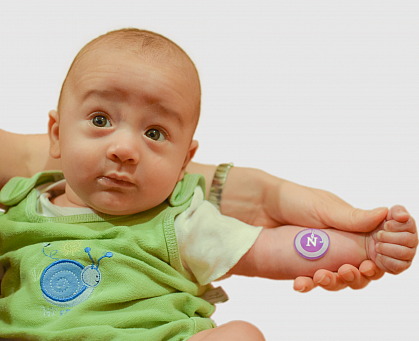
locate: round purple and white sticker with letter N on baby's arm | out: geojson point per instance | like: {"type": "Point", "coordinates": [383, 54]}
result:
{"type": "Point", "coordinates": [311, 243]}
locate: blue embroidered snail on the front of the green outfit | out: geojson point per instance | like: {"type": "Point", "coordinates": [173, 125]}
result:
{"type": "Point", "coordinates": [66, 283]}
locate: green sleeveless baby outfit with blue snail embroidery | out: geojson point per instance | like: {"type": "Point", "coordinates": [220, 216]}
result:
{"type": "Point", "coordinates": [96, 277]}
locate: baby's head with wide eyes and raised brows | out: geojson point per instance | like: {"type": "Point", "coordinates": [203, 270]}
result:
{"type": "Point", "coordinates": [126, 117]}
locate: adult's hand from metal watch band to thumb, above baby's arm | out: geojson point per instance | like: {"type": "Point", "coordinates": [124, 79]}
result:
{"type": "Point", "coordinates": [261, 199]}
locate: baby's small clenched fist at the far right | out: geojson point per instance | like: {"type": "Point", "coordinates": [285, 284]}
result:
{"type": "Point", "coordinates": [392, 245]}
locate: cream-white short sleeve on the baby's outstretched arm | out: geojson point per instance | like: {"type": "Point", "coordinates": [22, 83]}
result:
{"type": "Point", "coordinates": [210, 243]}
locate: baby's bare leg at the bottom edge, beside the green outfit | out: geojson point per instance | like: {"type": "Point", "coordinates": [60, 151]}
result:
{"type": "Point", "coordinates": [232, 331]}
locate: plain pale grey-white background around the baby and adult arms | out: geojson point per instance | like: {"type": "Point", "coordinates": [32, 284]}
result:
{"type": "Point", "coordinates": [323, 93]}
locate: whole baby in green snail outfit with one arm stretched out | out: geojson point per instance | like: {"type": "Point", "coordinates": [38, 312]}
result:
{"type": "Point", "coordinates": [125, 247]}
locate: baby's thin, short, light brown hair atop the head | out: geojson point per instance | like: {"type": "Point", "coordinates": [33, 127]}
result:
{"type": "Point", "coordinates": [150, 46]}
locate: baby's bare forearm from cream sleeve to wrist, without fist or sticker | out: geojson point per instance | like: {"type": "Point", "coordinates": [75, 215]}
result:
{"type": "Point", "coordinates": [273, 254]}
